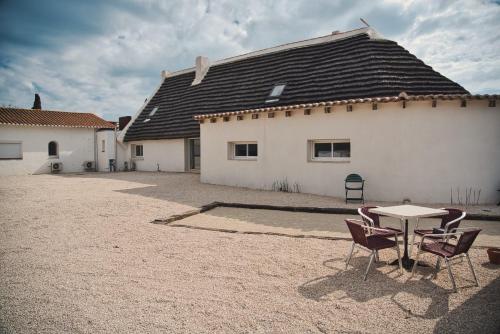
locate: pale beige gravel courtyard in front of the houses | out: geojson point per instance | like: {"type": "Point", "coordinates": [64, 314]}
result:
{"type": "Point", "coordinates": [78, 254]}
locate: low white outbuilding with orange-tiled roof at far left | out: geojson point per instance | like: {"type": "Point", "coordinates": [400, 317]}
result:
{"type": "Point", "coordinates": [34, 141]}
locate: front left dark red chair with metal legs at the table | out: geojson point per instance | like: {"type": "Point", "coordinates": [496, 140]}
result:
{"type": "Point", "coordinates": [371, 242]}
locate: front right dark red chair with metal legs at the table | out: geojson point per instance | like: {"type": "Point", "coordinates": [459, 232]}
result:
{"type": "Point", "coordinates": [448, 251]}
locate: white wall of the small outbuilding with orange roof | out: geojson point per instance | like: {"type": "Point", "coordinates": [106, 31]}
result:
{"type": "Point", "coordinates": [76, 145]}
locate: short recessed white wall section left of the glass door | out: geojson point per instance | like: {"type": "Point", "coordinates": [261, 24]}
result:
{"type": "Point", "coordinates": [168, 155]}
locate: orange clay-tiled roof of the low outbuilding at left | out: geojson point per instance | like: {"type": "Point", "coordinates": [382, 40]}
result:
{"type": "Point", "coordinates": [35, 117]}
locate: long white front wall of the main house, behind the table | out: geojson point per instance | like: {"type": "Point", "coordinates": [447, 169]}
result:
{"type": "Point", "coordinates": [418, 152]}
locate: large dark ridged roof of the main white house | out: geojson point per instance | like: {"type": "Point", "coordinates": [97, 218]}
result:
{"type": "Point", "coordinates": [355, 67]}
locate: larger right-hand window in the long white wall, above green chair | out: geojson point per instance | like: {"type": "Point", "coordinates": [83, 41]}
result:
{"type": "Point", "coordinates": [330, 150]}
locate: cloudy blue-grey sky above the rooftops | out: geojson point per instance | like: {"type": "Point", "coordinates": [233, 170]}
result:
{"type": "Point", "coordinates": [106, 56]}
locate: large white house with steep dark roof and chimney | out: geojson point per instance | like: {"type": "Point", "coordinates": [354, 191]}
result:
{"type": "Point", "coordinates": [313, 112]}
